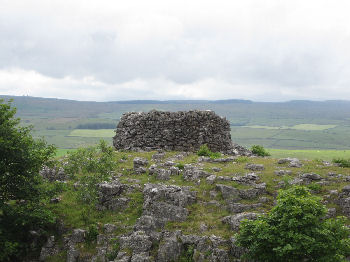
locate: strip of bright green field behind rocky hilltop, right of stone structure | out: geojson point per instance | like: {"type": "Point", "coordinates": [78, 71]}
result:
{"type": "Point", "coordinates": [310, 154]}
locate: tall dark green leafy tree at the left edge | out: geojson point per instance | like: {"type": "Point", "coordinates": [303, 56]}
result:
{"type": "Point", "coordinates": [21, 193]}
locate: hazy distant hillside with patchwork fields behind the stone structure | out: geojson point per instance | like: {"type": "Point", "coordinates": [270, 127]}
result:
{"type": "Point", "coordinates": [286, 125]}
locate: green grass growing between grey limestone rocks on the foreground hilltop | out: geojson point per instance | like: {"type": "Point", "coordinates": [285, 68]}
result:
{"type": "Point", "coordinates": [205, 215]}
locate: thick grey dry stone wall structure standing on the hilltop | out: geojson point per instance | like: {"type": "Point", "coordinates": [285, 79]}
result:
{"type": "Point", "coordinates": [180, 131]}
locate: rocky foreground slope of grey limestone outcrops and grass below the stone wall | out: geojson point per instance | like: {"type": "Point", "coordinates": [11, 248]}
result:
{"type": "Point", "coordinates": [177, 206]}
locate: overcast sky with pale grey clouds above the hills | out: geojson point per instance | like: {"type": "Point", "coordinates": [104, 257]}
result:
{"type": "Point", "coordinates": [262, 50]}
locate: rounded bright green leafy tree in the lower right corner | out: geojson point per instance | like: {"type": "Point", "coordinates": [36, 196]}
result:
{"type": "Point", "coordinates": [295, 230]}
